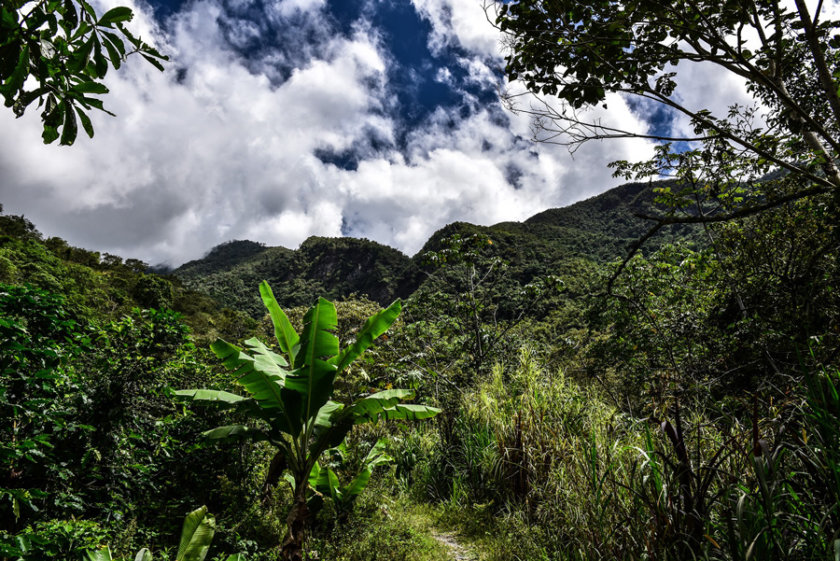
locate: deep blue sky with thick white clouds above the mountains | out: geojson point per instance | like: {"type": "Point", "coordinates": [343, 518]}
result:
{"type": "Point", "coordinates": [277, 120]}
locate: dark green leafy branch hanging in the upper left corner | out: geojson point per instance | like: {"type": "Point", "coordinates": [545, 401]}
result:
{"type": "Point", "coordinates": [63, 49]}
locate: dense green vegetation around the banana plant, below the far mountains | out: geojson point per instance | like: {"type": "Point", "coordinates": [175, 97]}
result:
{"type": "Point", "coordinates": [694, 412]}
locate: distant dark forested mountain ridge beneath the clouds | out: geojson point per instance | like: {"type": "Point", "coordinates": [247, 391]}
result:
{"type": "Point", "coordinates": [597, 230]}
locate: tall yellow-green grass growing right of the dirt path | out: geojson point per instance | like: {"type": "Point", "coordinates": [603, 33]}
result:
{"type": "Point", "coordinates": [536, 450]}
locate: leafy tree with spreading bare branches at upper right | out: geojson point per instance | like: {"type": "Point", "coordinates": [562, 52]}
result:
{"type": "Point", "coordinates": [576, 53]}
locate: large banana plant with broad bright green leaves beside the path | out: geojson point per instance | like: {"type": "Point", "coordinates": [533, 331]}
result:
{"type": "Point", "coordinates": [290, 396]}
